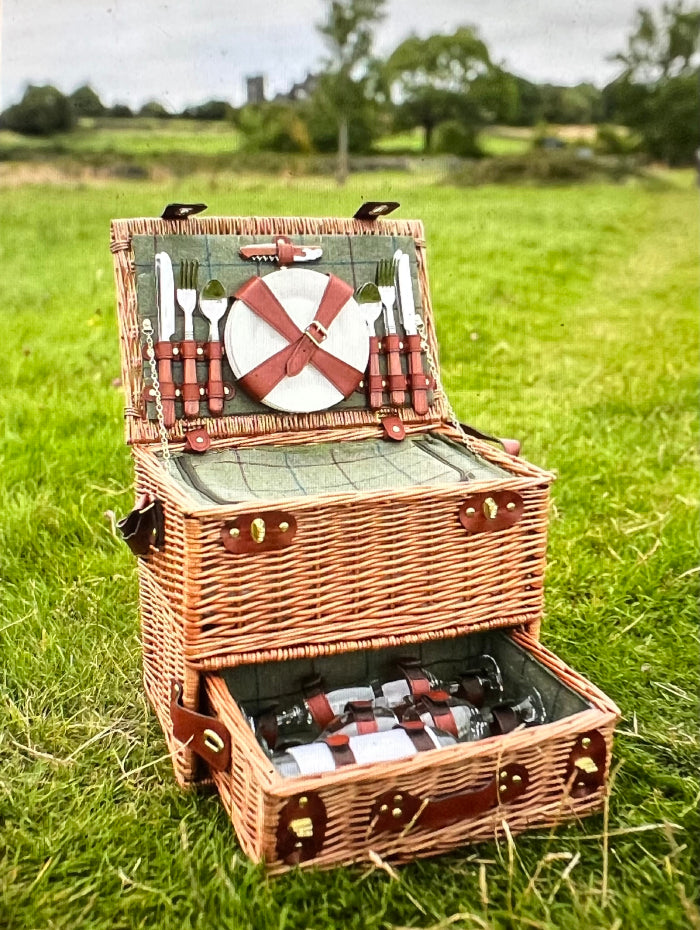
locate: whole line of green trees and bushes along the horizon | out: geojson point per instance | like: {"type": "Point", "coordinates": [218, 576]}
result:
{"type": "Point", "coordinates": [448, 85]}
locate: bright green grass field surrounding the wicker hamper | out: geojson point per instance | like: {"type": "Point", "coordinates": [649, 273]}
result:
{"type": "Point", "coordinates": [567, 318]}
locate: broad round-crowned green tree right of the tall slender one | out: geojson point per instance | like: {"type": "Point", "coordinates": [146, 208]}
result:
{"type": "Point", "coordinates": [449, 77]}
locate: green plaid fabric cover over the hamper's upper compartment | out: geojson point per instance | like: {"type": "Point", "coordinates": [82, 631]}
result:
{"type": "Point", "coordinates": [232, 475]}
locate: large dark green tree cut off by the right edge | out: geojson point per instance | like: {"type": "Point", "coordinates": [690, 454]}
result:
{"type": "Point", "coordinates": [657, 92]}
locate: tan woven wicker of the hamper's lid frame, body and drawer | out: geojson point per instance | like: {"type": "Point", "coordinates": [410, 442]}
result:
{"type": "Point", "coordinates": [366, 570]}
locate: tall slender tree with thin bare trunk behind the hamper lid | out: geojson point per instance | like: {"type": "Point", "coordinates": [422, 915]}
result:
{"type": "Point", "coordinates": [347, 84]}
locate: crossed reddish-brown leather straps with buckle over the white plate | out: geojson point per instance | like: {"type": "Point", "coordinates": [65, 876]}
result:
{"type": "Point", "coordinates": [266, 376]}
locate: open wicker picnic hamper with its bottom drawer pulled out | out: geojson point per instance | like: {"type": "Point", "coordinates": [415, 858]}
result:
{"type": "Point", "coordinates": [274, 543]}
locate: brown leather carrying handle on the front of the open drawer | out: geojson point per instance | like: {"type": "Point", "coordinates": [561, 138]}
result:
{"type": "Point", "coordinates": [395, 811]}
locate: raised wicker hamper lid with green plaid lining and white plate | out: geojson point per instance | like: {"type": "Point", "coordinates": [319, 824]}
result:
{"type": "Point", "coordinates": [350, 252]}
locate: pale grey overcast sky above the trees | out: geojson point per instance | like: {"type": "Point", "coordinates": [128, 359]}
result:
{"type": "Point", "coordinates": [186, 51]}
